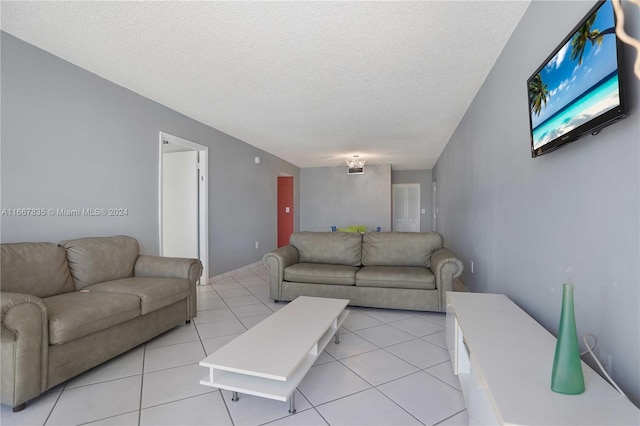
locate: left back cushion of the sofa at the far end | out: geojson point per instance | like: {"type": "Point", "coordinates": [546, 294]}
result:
{"type": "Point", "coordinates": [337, 248]}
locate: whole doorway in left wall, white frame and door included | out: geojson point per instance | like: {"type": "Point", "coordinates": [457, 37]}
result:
{"type": "Point", "coordinates": [183, 200]}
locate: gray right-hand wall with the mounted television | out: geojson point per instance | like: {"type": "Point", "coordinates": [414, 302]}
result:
{"type": "Point", "coordinates": [530, 225]}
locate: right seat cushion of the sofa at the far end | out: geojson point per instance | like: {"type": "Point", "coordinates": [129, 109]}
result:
{"type": "Point", "coordinates": [396, 277]}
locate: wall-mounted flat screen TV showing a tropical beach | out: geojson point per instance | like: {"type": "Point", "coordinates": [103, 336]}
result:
{"type": "Point", "coordinates": [578, 90]}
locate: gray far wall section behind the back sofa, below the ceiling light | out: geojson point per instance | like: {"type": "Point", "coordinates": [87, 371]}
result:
{"type": "Point", "coordinates": [331, 197]}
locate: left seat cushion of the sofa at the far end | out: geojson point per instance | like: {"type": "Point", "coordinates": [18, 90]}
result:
{"type": "Point", "coordinates": [319, 273]}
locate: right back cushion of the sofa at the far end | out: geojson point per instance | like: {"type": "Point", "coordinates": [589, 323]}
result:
{"type": "Point", "coordinates": [400, 248]}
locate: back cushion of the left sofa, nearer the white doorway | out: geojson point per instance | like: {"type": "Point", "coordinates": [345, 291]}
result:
{"type": "Point", "coordinates": [98, 259]}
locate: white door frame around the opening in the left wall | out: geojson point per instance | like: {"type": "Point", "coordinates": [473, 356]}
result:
{"type": "Point", "coordinates": [203, 198]}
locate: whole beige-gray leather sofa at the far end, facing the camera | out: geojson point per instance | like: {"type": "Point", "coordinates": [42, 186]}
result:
{"type": "Point", "coordinates": [398, 270]}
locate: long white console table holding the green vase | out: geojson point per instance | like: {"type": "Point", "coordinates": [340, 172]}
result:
{"type": "Point", "coordinates": [504, 358]}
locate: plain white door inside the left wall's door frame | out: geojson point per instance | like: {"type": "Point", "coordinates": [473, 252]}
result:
{"type": "Point", "coordinates": [180, 204]}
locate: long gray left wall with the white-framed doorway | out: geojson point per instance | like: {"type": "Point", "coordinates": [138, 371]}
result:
{"type": "Point", "coordinates": [71, 139]}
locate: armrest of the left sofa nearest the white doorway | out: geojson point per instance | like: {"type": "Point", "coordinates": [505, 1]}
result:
{"type": "Point", "coordinates": [172, 267]}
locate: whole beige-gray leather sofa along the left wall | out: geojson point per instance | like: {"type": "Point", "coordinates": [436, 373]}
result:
{"type": "Point", "coordinates": [70, 307]}
